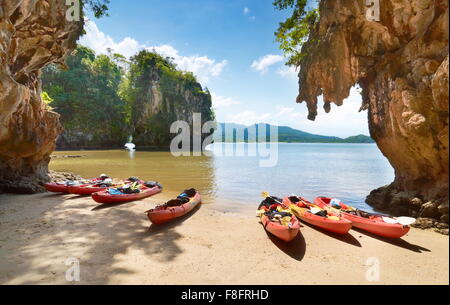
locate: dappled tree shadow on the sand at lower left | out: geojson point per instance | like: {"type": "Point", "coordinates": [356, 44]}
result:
{"type": "Point", "coordinates": [99, 243]}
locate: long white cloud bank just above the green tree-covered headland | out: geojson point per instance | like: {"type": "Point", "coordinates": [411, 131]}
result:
{"type": "Point", "coordinates": [203, 67]}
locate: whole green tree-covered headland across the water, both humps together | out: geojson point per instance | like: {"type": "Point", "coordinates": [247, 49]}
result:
{"type": "Point", "coordinates": [102, 99]}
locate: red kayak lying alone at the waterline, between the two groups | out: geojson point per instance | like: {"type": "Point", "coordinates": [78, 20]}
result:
{"type": "Point", "coordinates": [174, 208]}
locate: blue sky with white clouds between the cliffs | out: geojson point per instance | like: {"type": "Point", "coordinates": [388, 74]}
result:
{"type": "Point", "coordinates": [230, 46]}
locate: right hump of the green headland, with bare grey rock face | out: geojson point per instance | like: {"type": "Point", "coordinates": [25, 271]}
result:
{"type": "Point", "coordinates": [164, 95]}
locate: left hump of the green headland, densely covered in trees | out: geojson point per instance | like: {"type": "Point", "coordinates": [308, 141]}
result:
{"type": "Point", "coordinates": [86, 97]}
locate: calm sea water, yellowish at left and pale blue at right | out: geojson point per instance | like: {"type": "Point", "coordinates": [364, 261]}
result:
{"type": "Point", "coordinates": [345, 171]}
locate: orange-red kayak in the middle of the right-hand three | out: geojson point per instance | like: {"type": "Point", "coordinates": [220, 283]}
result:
{"type": "Point", "coordinates": [332, 222]}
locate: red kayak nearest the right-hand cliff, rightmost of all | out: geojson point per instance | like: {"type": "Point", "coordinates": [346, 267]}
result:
{"type": "Point", "coordinates": [373, 224]}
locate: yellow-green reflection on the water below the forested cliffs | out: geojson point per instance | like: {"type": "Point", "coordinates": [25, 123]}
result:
{"type": "Point", "coordinates": [175, 174]}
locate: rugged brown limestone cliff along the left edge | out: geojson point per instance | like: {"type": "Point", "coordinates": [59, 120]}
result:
{"type": "Point", "coordinates": [33, 33]}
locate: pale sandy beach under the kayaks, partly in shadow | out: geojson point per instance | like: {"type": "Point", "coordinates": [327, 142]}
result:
{"type": "Point", "coordinates": [117, 245]}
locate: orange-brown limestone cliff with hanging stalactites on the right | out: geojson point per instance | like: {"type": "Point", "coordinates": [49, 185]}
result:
{"type": "Point", "coordinates": [401, 64]}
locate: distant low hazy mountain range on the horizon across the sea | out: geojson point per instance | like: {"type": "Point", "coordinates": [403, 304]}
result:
{"type": "Point", "coordinates": [285, 135]}
